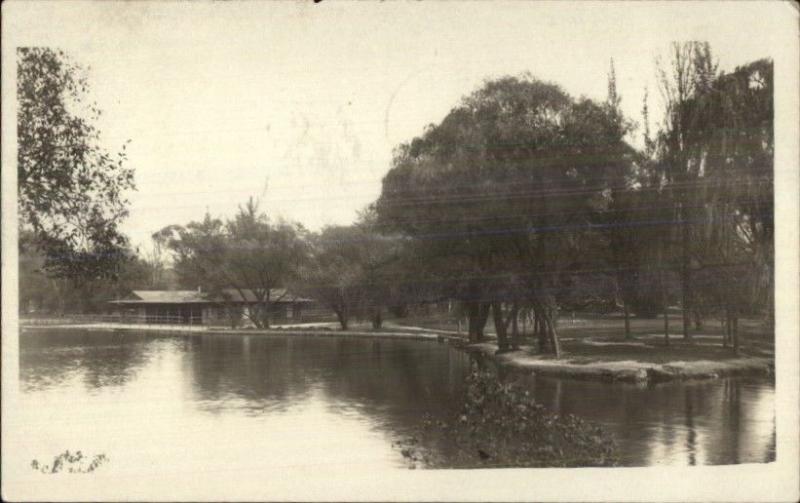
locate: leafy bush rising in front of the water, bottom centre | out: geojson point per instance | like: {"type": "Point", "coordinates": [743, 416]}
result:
{"type": "Point", "coordinates": [500, 425]}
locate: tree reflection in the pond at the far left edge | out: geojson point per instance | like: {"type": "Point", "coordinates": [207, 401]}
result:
{"type": "Point", "coordinates": [47, 358]}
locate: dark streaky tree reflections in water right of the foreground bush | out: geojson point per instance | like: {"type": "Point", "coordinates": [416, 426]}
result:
{"type": "Point", "coordinates": [713, 422]}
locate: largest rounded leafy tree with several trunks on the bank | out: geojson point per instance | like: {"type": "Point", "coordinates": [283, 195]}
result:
{"type": "Point", "coordinates": [503, 191]}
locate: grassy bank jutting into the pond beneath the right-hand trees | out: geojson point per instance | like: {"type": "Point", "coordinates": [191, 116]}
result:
{"type": "Point", "coordinates": [596, 348]}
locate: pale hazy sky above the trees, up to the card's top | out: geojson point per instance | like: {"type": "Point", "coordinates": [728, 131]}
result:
{"type": "Point", "coordinates": [301, 104]}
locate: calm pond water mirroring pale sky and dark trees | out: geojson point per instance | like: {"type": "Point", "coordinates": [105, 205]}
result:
{"type": "Point", "coordinates": [248, 404]}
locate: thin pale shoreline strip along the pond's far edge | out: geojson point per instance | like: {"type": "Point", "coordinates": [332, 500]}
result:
{"type": "Point", "coordinates": [626, 371]}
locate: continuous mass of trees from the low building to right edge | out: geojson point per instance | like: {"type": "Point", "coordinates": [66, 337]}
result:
{"type": "Point", "coordinates": [525, 200]}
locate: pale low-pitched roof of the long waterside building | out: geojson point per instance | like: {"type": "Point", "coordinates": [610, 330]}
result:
{"type": "Point", "coordinates": [197, 297]}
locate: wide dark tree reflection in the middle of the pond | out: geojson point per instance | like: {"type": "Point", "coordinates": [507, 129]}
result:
{"type": "Point", "coordinates": [389, 379]}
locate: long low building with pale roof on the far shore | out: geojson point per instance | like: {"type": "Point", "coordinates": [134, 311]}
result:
{"type": "Point", "coordinates": [194, 307]}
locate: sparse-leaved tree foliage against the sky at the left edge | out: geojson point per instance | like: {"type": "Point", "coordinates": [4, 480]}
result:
{"type": "Point", "coordinates": [71, 192]}
